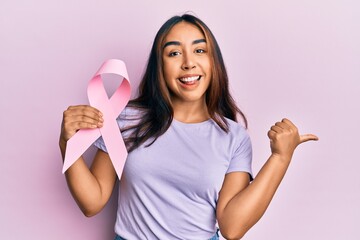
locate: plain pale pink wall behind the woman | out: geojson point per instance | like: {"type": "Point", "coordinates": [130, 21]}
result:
{"type": "Point", "coordinates": [295, 59]}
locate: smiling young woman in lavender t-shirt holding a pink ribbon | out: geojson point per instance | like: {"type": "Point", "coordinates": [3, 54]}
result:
{"type": "Point", "coordinates": [189, 162]}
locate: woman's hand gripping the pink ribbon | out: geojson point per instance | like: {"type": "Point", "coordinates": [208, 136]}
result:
{"type": "Point", "coordinates": [79, 117]}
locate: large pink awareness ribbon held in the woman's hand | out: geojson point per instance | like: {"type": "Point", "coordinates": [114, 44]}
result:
{"type": "Point", "coordinates": [110, 108]}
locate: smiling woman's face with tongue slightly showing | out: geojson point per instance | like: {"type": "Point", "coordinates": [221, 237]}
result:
{"type": "Point", "coordinates": [187, 66]}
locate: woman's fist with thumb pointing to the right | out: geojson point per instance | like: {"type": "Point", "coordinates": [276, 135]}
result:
{"type": "Point", "coordinates": [284, 138]}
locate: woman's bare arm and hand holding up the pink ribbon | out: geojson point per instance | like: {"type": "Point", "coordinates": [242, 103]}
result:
{"type": "Point", "coordinates": [91, 188]}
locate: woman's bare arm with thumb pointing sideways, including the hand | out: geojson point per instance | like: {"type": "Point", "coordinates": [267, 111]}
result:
{"type": "Point", "coordinates": [242, 204]}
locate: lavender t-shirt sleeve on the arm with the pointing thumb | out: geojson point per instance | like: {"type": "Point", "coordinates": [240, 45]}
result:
{"type": "Point", "coordinates": [242, 158]}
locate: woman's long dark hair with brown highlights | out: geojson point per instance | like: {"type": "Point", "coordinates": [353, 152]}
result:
{"type": "Point", "coordinates": [154, 97]}
